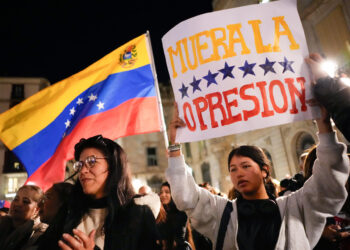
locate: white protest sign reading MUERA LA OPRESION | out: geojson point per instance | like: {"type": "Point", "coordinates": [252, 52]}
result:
{"type": "Point", "coordinates": [238, 70]}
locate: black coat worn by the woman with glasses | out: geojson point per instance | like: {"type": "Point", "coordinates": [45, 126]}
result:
{"type": "Point", "coordinates": [134, 228]}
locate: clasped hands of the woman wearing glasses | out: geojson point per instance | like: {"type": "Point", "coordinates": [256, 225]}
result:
{"type": "Point", "coordinates": [80, 241]}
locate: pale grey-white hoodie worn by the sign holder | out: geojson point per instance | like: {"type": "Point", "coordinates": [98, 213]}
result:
{"type": "Point", "coordinates": [303, 213]}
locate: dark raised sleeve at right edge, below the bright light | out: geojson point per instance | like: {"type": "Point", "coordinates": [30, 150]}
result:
{"type": "Point", "coordinates": [334, 95]}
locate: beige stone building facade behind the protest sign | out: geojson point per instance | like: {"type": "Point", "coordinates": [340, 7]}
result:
{"type": "Point", "coordinates": [326, 24]}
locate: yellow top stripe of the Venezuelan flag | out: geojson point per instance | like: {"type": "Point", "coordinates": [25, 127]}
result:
{"type": "Point", "coordinates": [35, 113]}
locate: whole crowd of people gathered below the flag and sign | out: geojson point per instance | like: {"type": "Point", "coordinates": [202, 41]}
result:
{"type": "Point", "coordinates": [101, 210]}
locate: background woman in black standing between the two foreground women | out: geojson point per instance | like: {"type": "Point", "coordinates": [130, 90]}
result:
{"type": "Point", "coordinates": [175, 231]}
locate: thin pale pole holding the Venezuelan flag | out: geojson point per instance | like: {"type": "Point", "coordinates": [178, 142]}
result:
{"type": "Point", "coordinates": [160, 107]}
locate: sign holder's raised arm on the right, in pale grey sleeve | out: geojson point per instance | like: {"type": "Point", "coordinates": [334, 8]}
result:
{"type": "Point", "coordinates": [324, 193]}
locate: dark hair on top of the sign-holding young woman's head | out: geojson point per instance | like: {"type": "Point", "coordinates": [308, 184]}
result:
{"type": "Point", "coordinates": [253, 152]}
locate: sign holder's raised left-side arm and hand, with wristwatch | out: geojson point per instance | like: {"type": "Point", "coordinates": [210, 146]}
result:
{"type": "Point", "coordinates": [203, 208]}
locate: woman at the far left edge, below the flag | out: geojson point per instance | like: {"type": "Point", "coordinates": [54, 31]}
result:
{"type": "Point", "coordinates": [22, 227]}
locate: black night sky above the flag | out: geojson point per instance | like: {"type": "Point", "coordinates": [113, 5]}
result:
{"type": "Point", "coordinates": [56, 39]}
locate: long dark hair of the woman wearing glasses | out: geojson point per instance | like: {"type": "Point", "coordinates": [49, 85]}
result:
{"type": "Point", "coordinates": [118, 188]}
